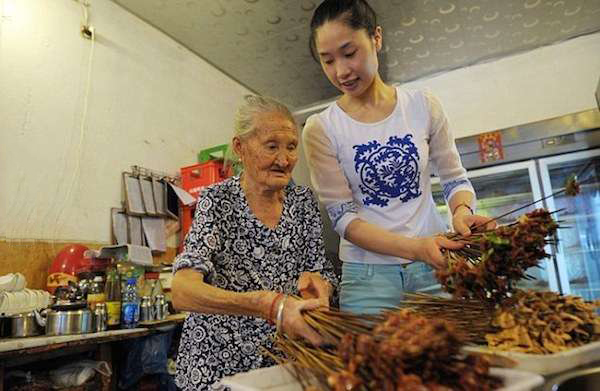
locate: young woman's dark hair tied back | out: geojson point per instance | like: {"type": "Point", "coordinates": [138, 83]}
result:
{"type": "Point", "coordinates": [357, 14]}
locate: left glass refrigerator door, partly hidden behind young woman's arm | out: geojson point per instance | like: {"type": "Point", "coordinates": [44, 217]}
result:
{"type": "Point", "coordinates": [499, 190]}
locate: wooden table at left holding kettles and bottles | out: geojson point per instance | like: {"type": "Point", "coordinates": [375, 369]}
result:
{"type": "Point", "coordinates": [22, 351]}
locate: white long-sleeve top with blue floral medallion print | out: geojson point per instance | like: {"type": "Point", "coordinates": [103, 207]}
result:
{"type": "Point", "coordinates": [380, 172]}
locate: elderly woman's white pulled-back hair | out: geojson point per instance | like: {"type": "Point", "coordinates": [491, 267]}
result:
{"type": "Point", "coordinates": [251, 106]}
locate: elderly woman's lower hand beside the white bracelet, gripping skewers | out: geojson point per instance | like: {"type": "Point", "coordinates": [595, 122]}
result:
{"type": "Point", "coordinates": [293, 323]}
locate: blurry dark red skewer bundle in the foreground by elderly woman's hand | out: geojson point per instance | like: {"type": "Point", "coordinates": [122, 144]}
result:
{"type": "Point", "coordinates": [398, 351]}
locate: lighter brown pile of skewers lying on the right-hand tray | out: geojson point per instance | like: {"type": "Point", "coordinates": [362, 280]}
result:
{"type": "Point", "coordinates": [528, 322]}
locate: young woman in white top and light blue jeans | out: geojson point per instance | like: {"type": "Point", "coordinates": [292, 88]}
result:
{"type": "Point", "coordinates": [370, 154]}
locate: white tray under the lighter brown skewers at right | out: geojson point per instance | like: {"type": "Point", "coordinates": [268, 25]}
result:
{"type": "Point", "coordinates": [547, 364]}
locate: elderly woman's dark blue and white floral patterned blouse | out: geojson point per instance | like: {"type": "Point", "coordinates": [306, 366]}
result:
{"type": "Point", "coordinates": [237, 252]}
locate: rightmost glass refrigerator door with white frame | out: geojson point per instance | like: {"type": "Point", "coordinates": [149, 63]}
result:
{"type": "Point", "coordinates": [578, 256]}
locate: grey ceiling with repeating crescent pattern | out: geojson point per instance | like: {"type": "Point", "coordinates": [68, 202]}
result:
{"type": "Point", "coordinates": [263, 44]}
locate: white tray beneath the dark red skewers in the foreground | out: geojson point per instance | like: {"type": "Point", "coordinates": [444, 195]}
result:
{"type": "Point", "coordinates": [278, 378]}
